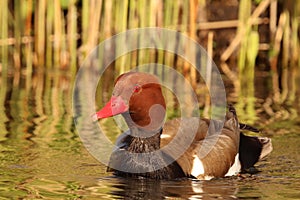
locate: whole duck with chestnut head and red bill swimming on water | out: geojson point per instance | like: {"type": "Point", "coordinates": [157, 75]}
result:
{"type": "Point", "coordinates": [187, 147]}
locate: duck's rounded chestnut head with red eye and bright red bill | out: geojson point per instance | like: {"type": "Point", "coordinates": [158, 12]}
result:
{"type": "Point", "coordinates": [138, 97]}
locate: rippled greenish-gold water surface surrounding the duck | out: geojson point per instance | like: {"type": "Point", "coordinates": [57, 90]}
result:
{"type": "Point", "coordinates": [42, 157]}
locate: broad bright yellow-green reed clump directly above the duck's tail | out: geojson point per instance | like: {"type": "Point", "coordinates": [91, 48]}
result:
{"type": "Point", "coordinates": [246, 62]}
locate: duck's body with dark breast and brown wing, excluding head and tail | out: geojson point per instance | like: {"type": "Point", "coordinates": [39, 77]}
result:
{"type": "Point", "coordinates": [177, 163]}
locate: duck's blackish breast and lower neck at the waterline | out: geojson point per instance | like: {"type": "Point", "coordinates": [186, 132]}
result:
{"type": "Point", "coordinates": [139, 165]}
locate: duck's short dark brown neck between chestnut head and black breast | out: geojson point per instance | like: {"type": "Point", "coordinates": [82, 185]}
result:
{"type": "Point", "coordinates": [143, 141]}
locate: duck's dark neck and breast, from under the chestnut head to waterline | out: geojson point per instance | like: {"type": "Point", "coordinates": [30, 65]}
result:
{"type": "Point", "coordinates": [142, 141]}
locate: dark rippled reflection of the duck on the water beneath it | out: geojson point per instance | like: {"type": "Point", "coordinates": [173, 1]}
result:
{"type": "Point", "coordinates": [183, 189]}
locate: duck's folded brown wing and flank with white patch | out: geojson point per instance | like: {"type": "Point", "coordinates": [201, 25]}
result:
{"type": "Point", "coordinates": [188, 139]}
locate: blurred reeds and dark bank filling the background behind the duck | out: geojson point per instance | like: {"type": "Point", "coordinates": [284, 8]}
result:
{"type": "Point", "coordinates": [44, 42]}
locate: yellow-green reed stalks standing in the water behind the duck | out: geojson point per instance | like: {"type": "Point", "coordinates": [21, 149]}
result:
{"type": "Point", "coordinates": [38, 36]}
